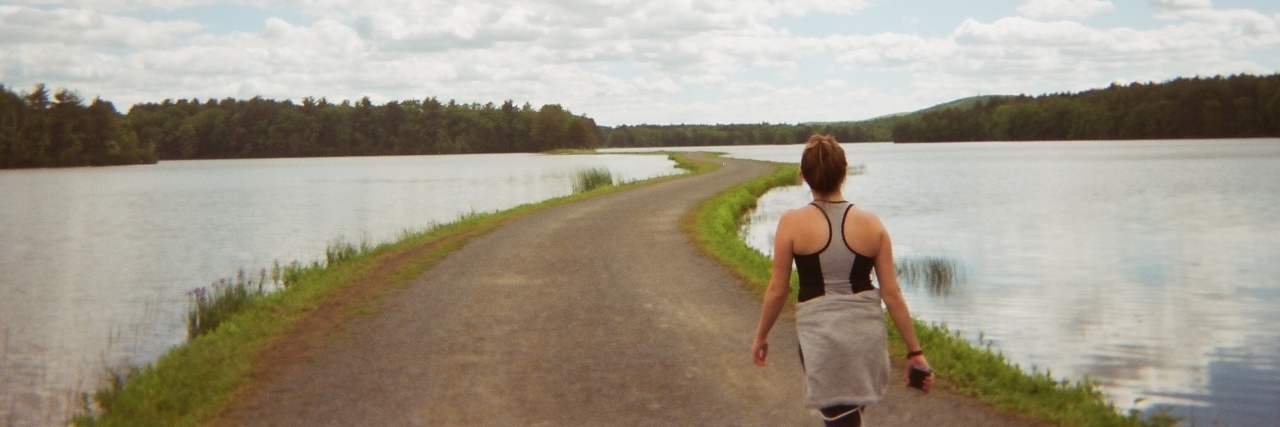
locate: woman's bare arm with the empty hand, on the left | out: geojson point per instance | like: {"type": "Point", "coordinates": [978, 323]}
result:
{"type": "Point", "coordinates": [778, 292]}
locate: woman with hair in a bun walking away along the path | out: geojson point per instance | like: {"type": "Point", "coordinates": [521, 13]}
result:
{"type": "Point", "coordinates": [840, 324]}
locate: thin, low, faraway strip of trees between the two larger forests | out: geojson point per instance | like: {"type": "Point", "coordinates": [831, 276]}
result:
{"type": "Point", "coordinates": [729, 135]}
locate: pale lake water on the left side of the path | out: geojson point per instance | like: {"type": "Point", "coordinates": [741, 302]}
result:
{"type": "Point", "coordinates": [97, 263]}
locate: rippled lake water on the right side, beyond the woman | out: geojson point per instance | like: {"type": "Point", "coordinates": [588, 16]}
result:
{"type": "Point", "coordinates": [1153, 268]}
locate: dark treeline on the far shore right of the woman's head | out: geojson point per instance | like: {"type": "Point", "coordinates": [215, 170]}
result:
{"type": "Point", "coordinates": [1236, 107]}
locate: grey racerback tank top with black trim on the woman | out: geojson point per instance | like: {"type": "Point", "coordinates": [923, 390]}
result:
{"type": "Point", "coordinates": [836, 269]}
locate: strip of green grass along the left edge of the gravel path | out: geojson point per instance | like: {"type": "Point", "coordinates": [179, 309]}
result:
{"type": "Point", "coordinates": [194, 382]}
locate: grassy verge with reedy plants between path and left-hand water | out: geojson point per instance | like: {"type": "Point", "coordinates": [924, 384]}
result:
{"type": "Point", "coordinates": [234, 324]}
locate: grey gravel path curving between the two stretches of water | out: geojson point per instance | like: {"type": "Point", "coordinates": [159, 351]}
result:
{"type": "Point", "coordinates": [593, 314]}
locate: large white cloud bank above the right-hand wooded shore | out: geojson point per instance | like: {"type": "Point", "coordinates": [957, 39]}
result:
{"type": "Point", "coordinates": [1016, 56]}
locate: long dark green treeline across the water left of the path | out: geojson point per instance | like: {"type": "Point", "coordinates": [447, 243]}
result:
{"type": "Point", "coordinates": [36, 132]}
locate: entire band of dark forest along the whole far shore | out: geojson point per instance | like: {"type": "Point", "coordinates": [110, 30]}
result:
{"type": "Point", "coordinates": [40, 130]}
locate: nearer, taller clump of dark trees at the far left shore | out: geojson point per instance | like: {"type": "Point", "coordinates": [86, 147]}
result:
{"type": "Point", "coordinates": [39, 132]}
